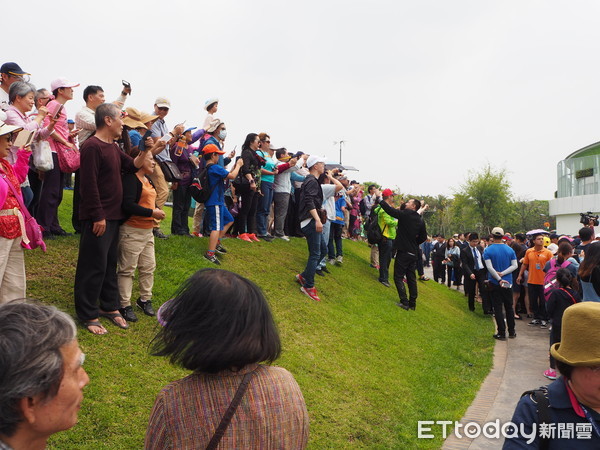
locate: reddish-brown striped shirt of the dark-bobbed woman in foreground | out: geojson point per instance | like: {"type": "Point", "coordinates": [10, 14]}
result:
{"type": "Point", "coordinates": [272, 413]}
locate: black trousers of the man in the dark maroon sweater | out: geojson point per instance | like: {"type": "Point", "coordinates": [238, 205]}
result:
{"type": "Point", "coordinates": [96, 274]}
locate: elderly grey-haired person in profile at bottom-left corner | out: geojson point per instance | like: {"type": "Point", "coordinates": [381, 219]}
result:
{"type": "Point", "coordinates": [41, 374]}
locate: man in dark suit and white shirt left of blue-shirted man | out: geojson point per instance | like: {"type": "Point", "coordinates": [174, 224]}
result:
{"type": "Point", "coordinates": [475, 272]}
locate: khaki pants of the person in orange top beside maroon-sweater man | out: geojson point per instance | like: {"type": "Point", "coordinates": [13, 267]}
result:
{"type": "Point", "coordinates": [136, 250]}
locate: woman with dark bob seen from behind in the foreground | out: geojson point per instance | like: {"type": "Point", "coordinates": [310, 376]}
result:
{"type": "Point", "coordinates": [220, 327]}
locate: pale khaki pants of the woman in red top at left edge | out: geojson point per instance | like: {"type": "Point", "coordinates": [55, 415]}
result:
{"type": "Point", "coordinates": [12, 270]}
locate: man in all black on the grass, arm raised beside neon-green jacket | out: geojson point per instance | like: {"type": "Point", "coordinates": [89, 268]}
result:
{"type": "Point", "coordinates": [411, 232]}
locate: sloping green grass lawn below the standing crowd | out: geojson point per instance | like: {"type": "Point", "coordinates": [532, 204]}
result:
{"type": "Point", "coordinates": [368, 369]}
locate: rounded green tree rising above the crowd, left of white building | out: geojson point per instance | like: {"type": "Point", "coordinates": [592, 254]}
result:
{"type": "Point", "coordinates": [485, 198]}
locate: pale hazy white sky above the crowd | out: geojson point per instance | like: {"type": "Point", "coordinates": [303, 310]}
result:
{"type": "Point", "coordinates": [422, 91]}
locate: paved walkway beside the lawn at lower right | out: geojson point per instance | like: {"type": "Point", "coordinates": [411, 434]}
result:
{"type": "Point", "coordinates": [518, 366]}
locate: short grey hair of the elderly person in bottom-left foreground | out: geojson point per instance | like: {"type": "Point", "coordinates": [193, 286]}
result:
{"type": "Point", "coordinates": [31, 363]}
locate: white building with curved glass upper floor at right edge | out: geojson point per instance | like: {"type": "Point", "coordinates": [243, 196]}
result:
{"type": "Point", "coordinates": [578, 188]}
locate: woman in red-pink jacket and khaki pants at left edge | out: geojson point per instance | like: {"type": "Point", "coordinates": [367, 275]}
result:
{"type": "Point", "coordinates": [12, 262]}
